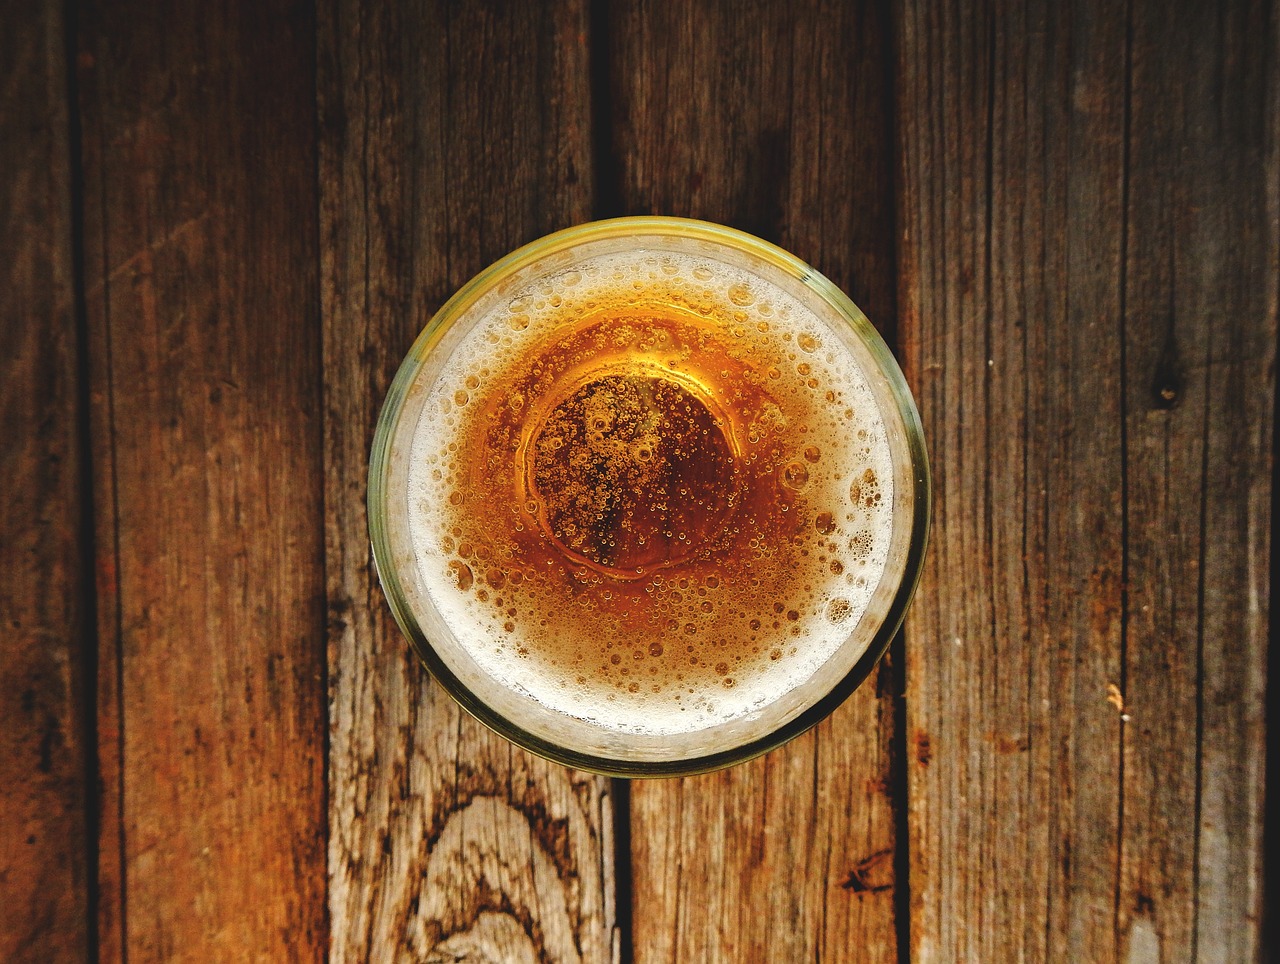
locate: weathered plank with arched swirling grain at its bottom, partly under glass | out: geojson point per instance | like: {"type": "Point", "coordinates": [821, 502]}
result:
{"type": "Point", "coordinates": [451, 135]}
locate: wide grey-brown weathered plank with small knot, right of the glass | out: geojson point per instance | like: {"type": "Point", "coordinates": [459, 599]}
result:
{"type": "Point", "coordinates": [1090, 321]}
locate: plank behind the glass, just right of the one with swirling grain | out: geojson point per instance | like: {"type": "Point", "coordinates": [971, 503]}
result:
{"type": "Point", "coordinates": [774, 120]}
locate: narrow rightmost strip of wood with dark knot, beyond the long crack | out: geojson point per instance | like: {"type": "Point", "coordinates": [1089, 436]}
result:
{"type": "Point", "coordinates": [1201, 287]}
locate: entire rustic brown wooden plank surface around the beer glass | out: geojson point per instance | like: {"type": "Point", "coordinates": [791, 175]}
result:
{"type": "Point", "coordinates": [221, 227]}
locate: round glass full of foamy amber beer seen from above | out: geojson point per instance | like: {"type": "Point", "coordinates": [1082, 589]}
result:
{"type": "Point", "coordinates": [650, 497]}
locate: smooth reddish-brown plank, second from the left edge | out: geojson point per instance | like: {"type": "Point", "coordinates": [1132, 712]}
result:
{"type": "Point", "coordinates": [200, 200]}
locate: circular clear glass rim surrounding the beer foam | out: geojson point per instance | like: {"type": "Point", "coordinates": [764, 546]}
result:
{"type": "Point", "coordinates": [569, 239]}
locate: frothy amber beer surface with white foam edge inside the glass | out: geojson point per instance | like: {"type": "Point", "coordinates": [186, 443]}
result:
{"type": "Point", "coordinates": [707, 628]}
